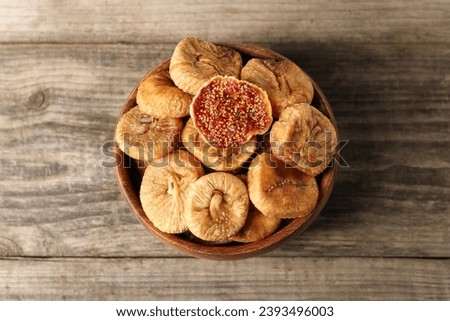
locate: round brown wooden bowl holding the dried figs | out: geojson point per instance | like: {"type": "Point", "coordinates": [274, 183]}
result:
{"type": "Point", "coordinates": [129, 177]}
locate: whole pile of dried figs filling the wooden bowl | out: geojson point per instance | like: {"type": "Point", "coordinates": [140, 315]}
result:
{"type": "Point", "coordinates": [231, 147]}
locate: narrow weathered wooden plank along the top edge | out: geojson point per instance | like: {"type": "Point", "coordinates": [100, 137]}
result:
{"type": "Point", "coordinates": [250, 21]}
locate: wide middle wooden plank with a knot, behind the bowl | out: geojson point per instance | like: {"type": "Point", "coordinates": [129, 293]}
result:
{"type": "Point", "coordinates": [59, 103]}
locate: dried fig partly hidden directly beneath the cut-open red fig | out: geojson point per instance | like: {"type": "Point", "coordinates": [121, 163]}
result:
{"type": "Point", "coordinates": [216, 158]}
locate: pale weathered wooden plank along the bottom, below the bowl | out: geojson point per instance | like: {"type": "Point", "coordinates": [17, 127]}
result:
{"type": "Point", "coordinates": [253, 279]}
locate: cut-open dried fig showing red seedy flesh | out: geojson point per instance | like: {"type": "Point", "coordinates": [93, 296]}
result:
{"type": "Point", "coordinates": [228, 112]}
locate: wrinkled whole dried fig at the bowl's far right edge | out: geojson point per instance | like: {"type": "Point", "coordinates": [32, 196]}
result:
{"type": "Point", "coordinates": [305, 138]}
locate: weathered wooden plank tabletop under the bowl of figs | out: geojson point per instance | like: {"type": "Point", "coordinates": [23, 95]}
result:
{"type": "Point", "coordinates": [67, 68]}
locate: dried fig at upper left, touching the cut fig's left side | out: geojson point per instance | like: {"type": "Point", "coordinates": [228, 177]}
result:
{"type": "Point", "coordinates": [158, 97]}
